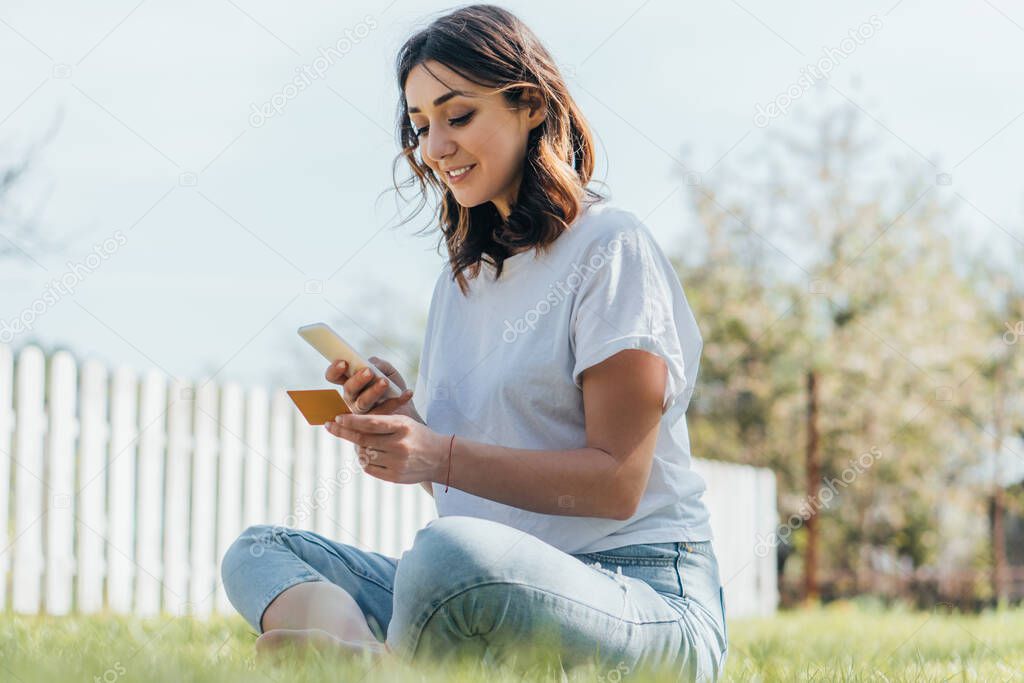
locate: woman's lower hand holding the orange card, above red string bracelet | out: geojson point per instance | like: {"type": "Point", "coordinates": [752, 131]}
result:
{"type": "Point", "coordinates": [394, 448]}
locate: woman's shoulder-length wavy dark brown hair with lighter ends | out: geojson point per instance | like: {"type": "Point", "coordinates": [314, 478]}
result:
{"type": "Point", "coordinates": [490, 47]}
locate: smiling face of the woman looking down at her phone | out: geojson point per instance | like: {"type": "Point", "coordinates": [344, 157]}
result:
{"type": "Point", "coordinates": [471, 130]}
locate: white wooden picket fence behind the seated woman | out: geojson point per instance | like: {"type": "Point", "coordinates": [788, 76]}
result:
{"type": "Point", "coordinates": [121, 494]}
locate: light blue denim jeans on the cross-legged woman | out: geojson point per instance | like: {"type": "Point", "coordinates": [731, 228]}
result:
{"type": "Point", "coordinates": [483, 589]}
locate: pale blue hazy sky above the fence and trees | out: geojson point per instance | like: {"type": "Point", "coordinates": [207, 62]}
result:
{"type": "Point", "coordinates": [200, 230]}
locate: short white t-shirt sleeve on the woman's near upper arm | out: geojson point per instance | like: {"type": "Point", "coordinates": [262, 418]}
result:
{"type": "Point", "coordinates": [631, 298]}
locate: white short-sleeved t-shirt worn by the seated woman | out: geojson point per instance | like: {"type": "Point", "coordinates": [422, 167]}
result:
{"type": "Point", "coordinates": [503, 366]}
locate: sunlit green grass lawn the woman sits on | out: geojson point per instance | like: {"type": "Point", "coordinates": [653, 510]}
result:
{"type": "Point", "coordinates": [842, 643]}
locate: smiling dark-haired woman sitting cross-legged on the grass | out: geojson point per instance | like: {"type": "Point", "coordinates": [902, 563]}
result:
{"type": "Point", "coordinates": [560, 359]}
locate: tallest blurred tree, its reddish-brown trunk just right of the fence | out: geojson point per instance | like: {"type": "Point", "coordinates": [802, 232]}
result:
{"type": "Point", "coordinates": [835, 316]}
